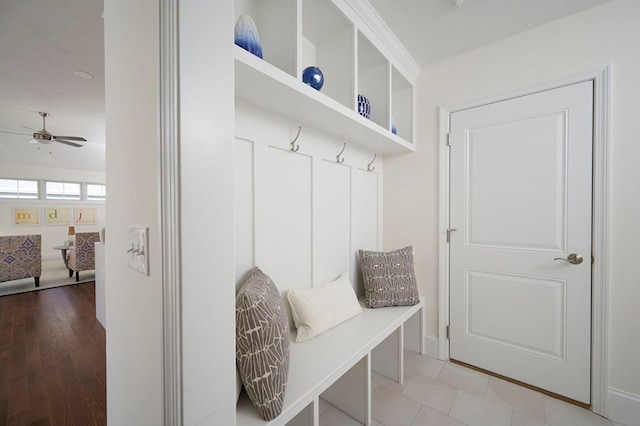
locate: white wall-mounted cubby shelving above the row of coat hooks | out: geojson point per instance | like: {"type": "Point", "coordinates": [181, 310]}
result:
{"type": "Point", "coordinates": [296, 34]}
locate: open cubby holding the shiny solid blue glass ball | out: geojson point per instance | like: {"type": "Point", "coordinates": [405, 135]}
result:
{"type": "Point", "coordinates": [328, 42]}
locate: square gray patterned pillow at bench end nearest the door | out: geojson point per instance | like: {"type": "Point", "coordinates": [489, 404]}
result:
{"type": "Point", "coordinates": [389, 278]}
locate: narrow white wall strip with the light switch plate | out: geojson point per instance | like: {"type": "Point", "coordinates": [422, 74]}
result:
{"type": "Point", "coordinates": [133, 300]}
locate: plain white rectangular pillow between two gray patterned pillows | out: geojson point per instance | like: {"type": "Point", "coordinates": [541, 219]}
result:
{"type": "Point", "coordinates": [318, 309]}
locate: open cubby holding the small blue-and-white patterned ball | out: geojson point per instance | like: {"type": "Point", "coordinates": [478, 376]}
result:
{"type": "Point", "coordinates": [373, 81]}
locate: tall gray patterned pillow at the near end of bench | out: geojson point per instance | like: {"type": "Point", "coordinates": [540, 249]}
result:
{"type": "Point", "coordinates": [262, 343]}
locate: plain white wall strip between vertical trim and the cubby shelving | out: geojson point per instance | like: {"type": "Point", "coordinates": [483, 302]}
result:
{"type": "Point", "coordinates": [206, 132]}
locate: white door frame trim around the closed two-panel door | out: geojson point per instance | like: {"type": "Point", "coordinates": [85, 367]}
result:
{"type": "Point", "coordinates": [600, 231]}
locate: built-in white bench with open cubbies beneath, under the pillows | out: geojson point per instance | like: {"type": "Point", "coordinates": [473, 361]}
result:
{"type": "Point", "coordinates": [337, 365]}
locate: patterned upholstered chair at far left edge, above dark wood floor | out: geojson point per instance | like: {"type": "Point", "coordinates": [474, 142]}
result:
{"type": "Point", "coordinates": [20, 257]}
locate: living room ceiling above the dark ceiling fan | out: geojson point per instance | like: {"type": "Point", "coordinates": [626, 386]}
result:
{"type": "Point", "coordinates": [42, 44]}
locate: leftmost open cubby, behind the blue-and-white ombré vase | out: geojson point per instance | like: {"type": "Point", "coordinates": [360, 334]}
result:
{"type": "Point", "coordinates": [276, 21]}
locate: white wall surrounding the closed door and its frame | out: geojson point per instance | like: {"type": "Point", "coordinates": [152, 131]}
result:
{"type": "Point", "coordinates": [607, 34]}
